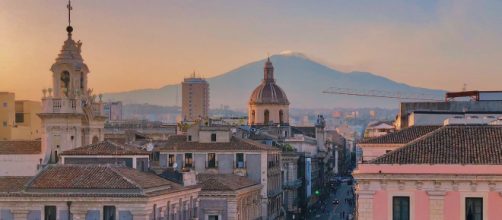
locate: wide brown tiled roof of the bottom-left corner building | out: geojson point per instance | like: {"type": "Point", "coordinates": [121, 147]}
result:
{"type": "Point", "coordinates": [88, 181]}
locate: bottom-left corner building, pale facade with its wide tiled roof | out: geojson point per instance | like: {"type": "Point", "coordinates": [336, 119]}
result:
{"type": "Point", "coordinates": [95, 192]}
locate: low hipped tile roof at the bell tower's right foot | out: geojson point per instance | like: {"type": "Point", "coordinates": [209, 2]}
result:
{"type": "Point", "coordinates": [106, 148]}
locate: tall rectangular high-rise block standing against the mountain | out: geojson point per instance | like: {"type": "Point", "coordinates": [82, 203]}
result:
{"type": "Point", "coordinates": [194, 98]}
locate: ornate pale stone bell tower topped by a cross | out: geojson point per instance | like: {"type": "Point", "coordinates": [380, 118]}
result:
{"type": "Point", "coordinates": [71, 114]}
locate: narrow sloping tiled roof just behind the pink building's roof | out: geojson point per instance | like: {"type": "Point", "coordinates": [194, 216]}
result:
{"type": "Point", "coordinates": [402, 136]}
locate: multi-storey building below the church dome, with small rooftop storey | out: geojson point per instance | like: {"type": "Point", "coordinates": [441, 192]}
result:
{"type": "Point", "coordinates": [215, 150]}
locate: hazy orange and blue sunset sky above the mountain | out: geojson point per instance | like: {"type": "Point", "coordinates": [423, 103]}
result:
{"type": "Point", "coordinates": [132, 44]}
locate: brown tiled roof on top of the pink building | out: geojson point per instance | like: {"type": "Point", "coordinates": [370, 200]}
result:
{"type": "Point", "coordinates": [470, 144]}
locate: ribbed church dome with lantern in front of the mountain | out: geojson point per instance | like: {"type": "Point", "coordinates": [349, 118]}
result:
{"type": "Point", "coordinates": [268, 92]}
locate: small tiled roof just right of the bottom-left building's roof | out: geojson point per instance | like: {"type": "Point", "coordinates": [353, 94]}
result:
{"type": "Point", "coordinates": [223, 182]}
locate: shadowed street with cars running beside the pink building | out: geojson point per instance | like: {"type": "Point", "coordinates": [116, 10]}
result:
{"type": "Point", "coordinates": [330, 211]}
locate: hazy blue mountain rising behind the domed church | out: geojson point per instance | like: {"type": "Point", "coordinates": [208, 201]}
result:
{"type": "Point", "coordinates": [302, 79]}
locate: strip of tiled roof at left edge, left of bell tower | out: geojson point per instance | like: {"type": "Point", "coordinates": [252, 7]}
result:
{"type": "Point", "coordinates": [20, 147]}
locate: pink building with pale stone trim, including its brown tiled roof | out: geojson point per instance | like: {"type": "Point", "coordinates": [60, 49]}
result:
{"type": "Point", "coordinates": [451, 173]}
